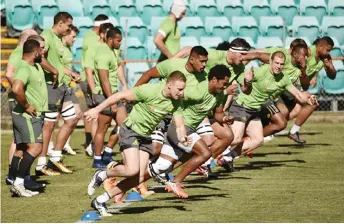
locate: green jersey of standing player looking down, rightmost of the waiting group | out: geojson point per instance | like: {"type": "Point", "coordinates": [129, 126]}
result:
{"type": "Point", "coordinates": [106, 59]}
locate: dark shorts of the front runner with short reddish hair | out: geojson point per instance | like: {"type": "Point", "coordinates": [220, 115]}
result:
{"type": "Point", "coordinates": [130, 139]}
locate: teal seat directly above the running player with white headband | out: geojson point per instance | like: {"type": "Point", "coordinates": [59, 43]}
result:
{"type": "Point", "coordinates": [245, 26]}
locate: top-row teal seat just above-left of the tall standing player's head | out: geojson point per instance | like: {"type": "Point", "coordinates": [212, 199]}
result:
{"type": "Point", "coordinates": [44, 8]}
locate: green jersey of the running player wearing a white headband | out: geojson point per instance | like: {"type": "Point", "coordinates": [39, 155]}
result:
{"type": "Point", "coordinates": [217, 57]}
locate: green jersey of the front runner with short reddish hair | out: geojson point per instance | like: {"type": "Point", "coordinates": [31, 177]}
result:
{"type": "Point", "coordinates": [151, 106]}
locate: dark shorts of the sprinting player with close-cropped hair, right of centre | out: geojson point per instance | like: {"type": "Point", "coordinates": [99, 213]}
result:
{"type": "Point", "coordinates": [243, 114]}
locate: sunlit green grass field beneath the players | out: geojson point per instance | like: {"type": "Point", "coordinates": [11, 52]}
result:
{"type": "Point", "coordinates": [282, 183]}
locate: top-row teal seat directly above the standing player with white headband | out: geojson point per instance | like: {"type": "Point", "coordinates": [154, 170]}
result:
{"type": "Point", "coordinates": [93, 8]}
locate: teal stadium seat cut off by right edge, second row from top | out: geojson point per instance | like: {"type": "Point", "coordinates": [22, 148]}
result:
{"type": "Point", "coordinates": [334, 27]}
